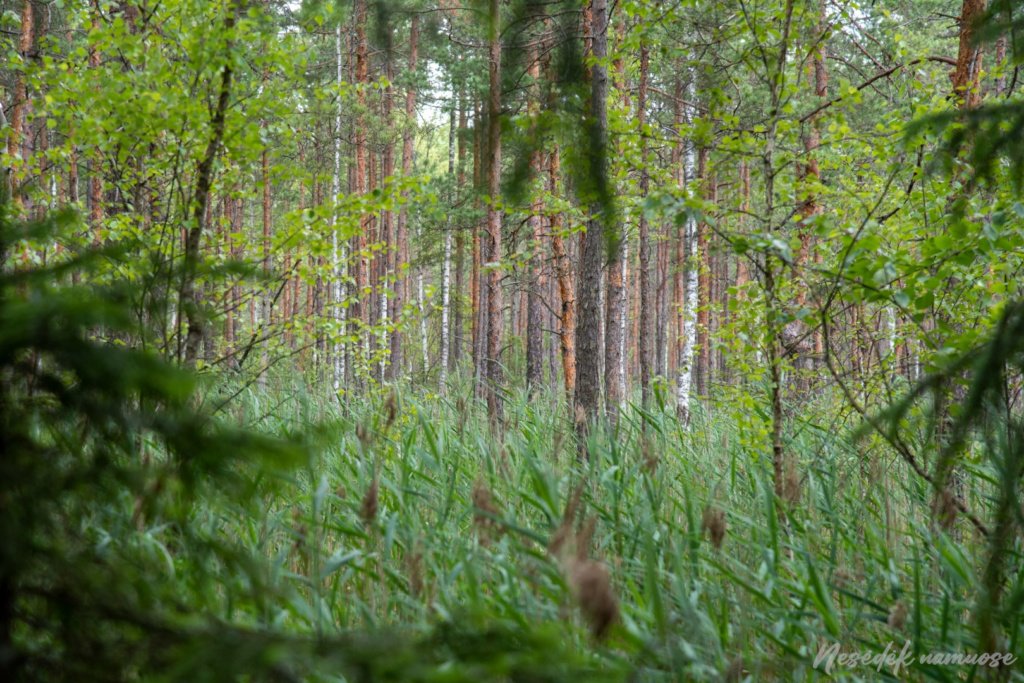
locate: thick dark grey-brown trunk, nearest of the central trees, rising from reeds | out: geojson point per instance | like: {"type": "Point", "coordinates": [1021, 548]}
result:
{"type": "Point", "coordinates": [588, 391]}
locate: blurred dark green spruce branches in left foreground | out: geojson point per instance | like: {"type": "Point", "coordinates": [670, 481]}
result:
{"type": "Point", "coordinates": [108, 571]}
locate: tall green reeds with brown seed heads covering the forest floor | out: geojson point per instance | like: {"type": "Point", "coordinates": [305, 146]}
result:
{"type": "Point", "coordinates": [415, 516]}
